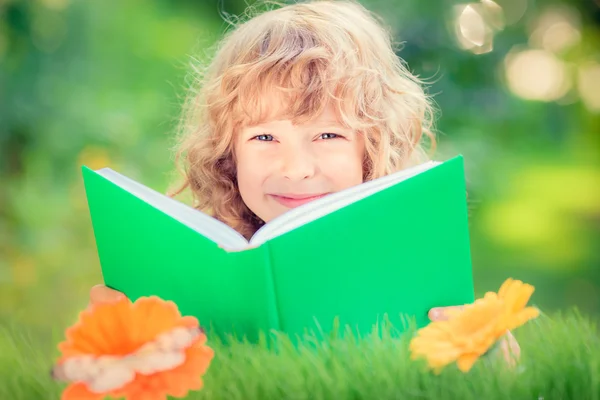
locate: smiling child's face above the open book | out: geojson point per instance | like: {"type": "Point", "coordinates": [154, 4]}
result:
{"type": "Point", "coordinates": [281, 166]}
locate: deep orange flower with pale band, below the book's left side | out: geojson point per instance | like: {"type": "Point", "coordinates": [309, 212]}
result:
{"type": "Point", "coordinates": [141, 351]}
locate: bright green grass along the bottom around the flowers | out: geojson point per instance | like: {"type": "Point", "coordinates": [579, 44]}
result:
{"type": "Point", "coordinates": [560, 360]}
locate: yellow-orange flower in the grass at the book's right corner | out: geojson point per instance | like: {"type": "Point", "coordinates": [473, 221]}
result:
{"type": "Point", "coordinates": [469, 333]}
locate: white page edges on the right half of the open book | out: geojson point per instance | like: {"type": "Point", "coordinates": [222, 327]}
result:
{"type": "Point", "coordinates": [328, 204]}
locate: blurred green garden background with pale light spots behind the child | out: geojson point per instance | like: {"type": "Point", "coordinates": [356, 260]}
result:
{"type": "Point", "coordinates": [101, 83]}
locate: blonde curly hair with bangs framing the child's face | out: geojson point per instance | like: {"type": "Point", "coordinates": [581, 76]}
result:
{"type": "Point", "coordinates": [314, 53]}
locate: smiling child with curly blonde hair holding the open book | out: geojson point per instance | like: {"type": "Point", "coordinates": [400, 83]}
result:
{"type": "Point", "coordinates": [299, 102]}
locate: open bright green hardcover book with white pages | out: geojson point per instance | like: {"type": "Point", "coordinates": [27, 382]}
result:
{"type": "Point", "coordinates": [389, 248]}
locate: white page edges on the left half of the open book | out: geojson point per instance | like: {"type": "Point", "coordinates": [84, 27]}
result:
{"type": "Point", "coordinates": [204, 224]}
